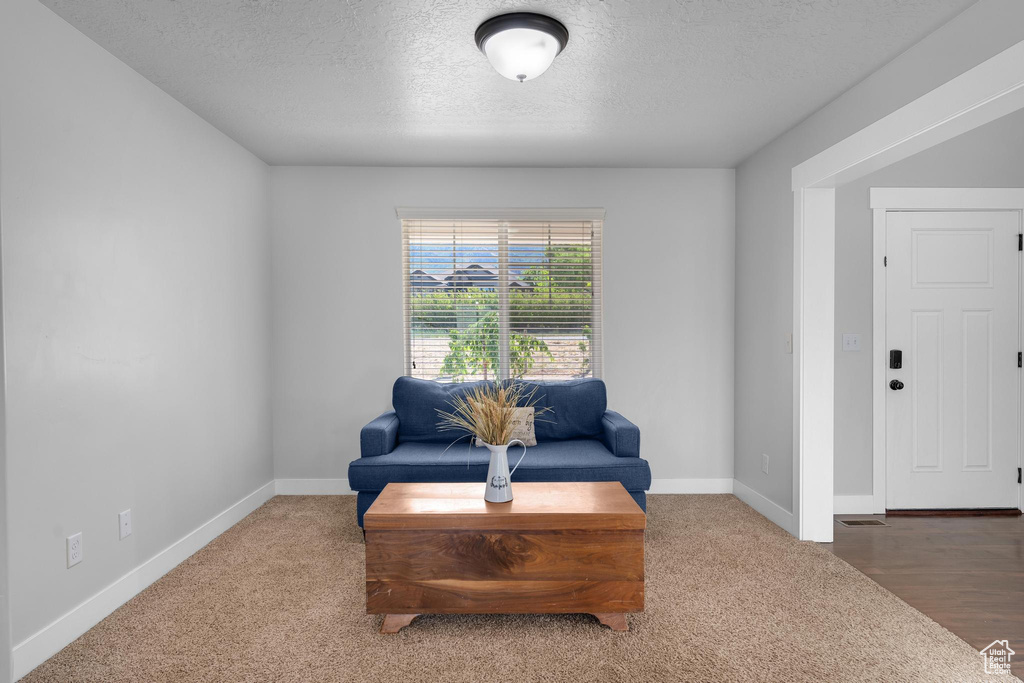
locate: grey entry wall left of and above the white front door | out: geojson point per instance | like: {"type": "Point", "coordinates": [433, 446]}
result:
{"type": "Point", "coordinates": [989, 157]}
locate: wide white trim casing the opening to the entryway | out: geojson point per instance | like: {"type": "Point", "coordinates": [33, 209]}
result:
{"type": "Point", "coordinates": [985, 94]}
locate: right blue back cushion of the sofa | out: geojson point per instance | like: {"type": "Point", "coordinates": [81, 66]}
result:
{"type": "Point", "coordinates": [578, 409]}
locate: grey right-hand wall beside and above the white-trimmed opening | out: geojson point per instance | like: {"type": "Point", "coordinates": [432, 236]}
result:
{"type": "Point", "coordinates": [764, 229]}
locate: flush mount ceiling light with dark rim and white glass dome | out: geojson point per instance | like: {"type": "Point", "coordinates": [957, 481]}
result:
{"type": "Point", "coordinates": [522, 46]}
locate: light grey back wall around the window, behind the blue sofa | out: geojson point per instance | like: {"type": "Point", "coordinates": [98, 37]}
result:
{"type": "Point", "coordinates": [337, 302]}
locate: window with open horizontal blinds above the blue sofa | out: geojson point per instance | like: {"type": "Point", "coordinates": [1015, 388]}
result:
{"type": "Point", "coordinates": [502, 296]}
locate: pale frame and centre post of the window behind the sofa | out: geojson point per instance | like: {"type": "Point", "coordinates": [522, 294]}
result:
{"type": "Point", "coordinates": [591, 215]}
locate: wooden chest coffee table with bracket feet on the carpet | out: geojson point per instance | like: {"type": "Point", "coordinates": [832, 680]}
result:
{"type": "Point", "coordinates": [558, 548]}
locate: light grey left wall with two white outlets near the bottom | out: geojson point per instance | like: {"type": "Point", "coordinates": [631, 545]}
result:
{"type": "Point", "coordinates": [136, 297]}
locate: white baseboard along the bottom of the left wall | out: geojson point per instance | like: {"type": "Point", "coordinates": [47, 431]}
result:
{"type": "Point", "coordinates": [49, 642]}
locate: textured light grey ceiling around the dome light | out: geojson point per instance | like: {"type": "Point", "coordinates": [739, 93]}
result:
{"type": "Point", "coordinates": [686, 83]}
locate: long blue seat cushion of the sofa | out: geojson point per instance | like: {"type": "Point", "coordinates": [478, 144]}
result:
{"type": "Point", "coordinates": [576, 460]}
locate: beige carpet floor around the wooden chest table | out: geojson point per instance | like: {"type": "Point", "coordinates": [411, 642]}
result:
{"type": "Point", "coordinates": [731, 597]}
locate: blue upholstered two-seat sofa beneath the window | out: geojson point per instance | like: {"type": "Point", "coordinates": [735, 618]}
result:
{"type": "Point", "coordinates": [579, 441]}
